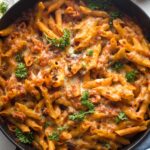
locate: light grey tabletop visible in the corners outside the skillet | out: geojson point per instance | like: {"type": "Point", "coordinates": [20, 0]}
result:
{"type": "Point", "coordinates": [5, 144]}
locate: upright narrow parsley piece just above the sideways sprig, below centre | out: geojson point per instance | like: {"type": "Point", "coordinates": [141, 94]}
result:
{"type": "Point", "coordinates": [85, 100]}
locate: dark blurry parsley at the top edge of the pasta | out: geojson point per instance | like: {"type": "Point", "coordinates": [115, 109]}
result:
{"type": "Point", "coordinates": [96, 4]}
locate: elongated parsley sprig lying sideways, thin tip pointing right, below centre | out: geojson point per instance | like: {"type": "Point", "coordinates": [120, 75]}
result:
{"type": "Point", "coordinates": [80, 116]}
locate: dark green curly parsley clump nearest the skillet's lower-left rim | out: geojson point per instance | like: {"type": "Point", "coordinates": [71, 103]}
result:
{"type": "Point", "coordinates": [25, 138]}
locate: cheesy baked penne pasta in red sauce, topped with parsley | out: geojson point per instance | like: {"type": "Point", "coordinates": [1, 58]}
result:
{"type": "Point", "coordinates": [74, 75]}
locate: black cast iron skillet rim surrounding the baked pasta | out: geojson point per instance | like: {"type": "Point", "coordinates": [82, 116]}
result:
{"type": "Point", "coordinates": [125, 5]}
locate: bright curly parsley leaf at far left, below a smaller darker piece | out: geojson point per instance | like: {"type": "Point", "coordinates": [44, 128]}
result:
{"type": "Point", "coordinates": [21, 71]}
